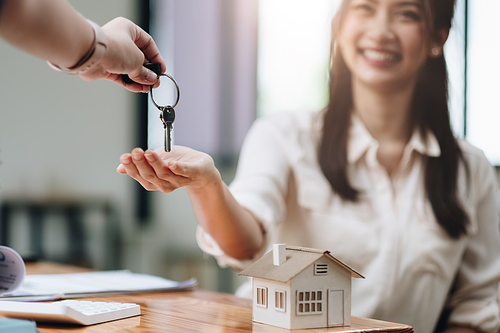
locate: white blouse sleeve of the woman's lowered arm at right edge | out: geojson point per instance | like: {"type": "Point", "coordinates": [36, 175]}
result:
{"type": "Point", "coordinates": [474, 301]}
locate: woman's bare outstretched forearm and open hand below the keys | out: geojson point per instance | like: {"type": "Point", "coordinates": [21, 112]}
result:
{"type": "Point", "coordinates": [236, 231]}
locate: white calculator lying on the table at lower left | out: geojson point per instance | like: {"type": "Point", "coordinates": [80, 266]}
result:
{"type": "Point", "coordinates": [69, 311]}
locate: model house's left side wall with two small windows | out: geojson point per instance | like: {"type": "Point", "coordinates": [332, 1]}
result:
{"type": "Point", "coordinates": [270, 315]}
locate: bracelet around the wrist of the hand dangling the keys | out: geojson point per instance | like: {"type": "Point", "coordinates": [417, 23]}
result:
{"type": "Point", "coordinates": [89, 59]}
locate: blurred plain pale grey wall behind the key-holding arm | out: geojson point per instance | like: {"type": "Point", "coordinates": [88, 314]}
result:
{"type": "Point", "coordinates": [60, 135]}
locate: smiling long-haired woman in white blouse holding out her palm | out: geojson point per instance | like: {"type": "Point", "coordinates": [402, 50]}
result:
{"type": "Point", "coordinates": [377, 178]}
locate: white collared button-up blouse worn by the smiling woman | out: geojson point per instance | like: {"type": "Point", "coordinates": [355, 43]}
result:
{"type": "Point", "coordinates": [391, 236]}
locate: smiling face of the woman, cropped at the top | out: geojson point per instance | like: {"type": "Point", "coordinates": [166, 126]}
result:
{"type": "Point", "coordinates": [384, 42]}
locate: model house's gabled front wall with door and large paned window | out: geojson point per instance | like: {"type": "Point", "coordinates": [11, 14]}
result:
{"type": "Point", "coordinates": [338, 278]}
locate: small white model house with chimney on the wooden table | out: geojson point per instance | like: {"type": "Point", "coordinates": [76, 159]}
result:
{"type": "Point", "coordinates": [300, 288]}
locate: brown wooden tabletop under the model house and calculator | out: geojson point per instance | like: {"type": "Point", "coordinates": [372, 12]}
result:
{"type": "Point", "coordinates": [193, 311]}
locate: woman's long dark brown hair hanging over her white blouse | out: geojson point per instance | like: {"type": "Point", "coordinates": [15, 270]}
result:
{"type": "Point", "coordinates": [429, 112]}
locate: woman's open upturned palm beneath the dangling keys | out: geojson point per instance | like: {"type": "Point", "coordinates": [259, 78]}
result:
{"type": "Point", "coordinates": [157, 170]}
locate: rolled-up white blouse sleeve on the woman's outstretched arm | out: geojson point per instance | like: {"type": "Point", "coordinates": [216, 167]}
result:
{"type": "Point", "coordinates": [260, 185]}
